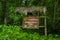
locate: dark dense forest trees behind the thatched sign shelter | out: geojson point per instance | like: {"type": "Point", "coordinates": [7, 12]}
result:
{"type": "Point", "coordinates": [9, 16]}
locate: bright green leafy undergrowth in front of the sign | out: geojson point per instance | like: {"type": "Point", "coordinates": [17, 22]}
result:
{"type": "Point", "coordinates": [16, 33]}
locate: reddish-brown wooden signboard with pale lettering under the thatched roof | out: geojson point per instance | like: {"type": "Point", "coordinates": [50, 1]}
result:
{"type": "Point", "coordinates": [30, 22]}
